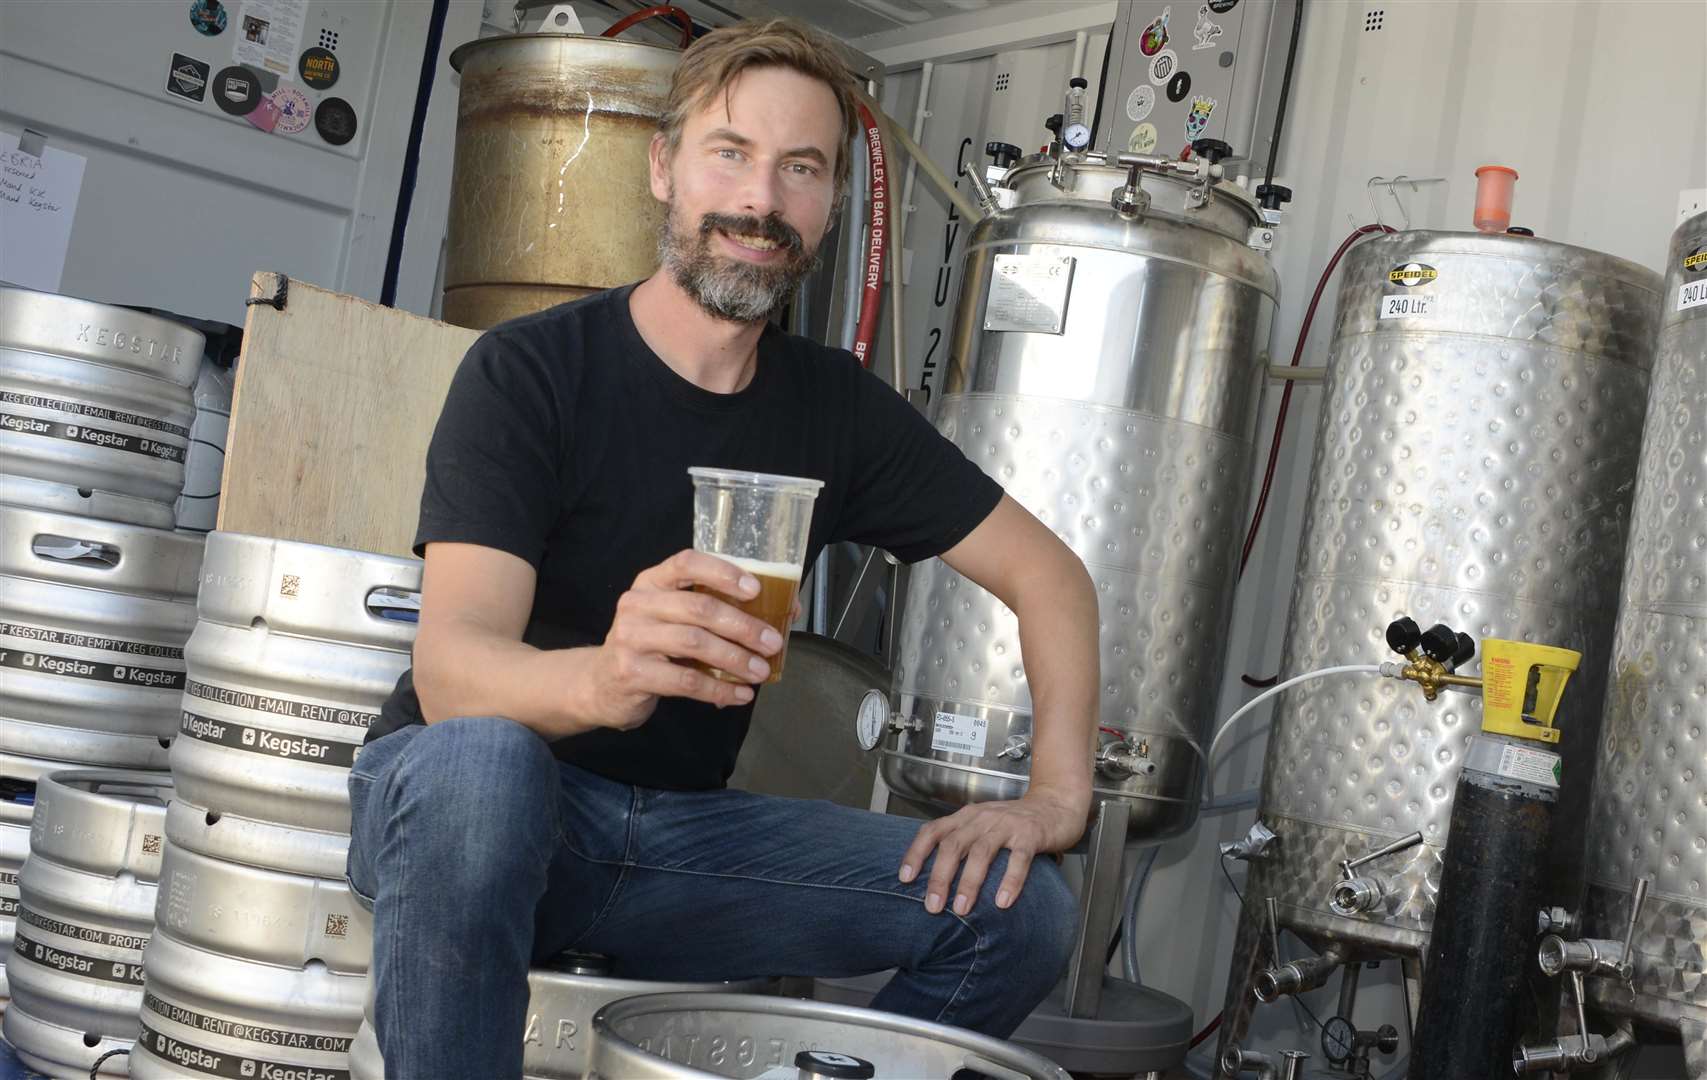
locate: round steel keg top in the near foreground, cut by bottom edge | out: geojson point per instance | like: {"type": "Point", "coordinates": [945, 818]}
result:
{"type": "Point", "coordinates": [699, 1036]}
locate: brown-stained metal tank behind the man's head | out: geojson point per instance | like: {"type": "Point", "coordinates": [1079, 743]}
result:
{"type": "Point", "coordinates": [551, 199]}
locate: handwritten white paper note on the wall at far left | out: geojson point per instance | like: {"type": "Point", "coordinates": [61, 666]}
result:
{"type": "Point", "coordinates": [38, 200]}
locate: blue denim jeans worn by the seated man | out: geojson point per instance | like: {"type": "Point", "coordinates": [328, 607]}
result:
{"type": "Point", "coordinates": [482, 856]}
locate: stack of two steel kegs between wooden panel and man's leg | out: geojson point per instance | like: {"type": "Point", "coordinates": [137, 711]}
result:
{"type": "Point", "coordinates": [259, 965]}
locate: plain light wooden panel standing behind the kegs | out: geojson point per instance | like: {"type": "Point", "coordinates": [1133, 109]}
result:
{"type": "Point", "coordinates": [334, 409]}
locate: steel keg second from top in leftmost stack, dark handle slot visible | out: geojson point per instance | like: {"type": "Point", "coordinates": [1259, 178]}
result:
{"type": "Point", "coordinates": [93, 627]}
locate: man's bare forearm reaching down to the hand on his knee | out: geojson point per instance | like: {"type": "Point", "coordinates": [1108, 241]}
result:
{"type": "Point", "coordinates": [1057, 639]}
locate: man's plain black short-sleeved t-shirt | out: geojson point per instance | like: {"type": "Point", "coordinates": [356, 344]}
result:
{"type": "Point", "coordinates": [566, 441]}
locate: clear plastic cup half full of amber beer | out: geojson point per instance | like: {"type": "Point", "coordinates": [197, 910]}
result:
{"type": "Point", "coordinates": [760, 523]}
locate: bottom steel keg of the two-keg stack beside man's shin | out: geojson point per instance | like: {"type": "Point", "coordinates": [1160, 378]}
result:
{"type": "Point", "coordinates": [252, 973]}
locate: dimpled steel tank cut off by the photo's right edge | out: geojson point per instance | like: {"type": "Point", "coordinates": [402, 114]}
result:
{"type": "Point", "coordinates": [1650, 811]}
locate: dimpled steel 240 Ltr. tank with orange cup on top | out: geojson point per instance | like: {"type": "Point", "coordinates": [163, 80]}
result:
{"type": "Point", "coordinates": [1474, 467]}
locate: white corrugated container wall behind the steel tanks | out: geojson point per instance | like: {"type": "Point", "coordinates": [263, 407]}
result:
{"type": "Point", "coordinates": [1599, 105]}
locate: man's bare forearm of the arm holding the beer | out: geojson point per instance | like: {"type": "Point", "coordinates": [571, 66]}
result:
{"type": "Point", "coordinates": [467, 671]}
